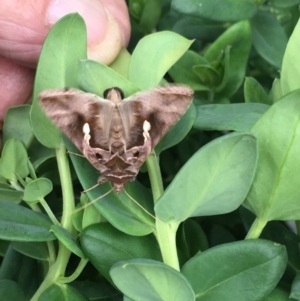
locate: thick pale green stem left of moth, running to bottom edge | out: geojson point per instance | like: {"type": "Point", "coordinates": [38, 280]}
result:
{"type": "Point", "coordinates": [59, 267]}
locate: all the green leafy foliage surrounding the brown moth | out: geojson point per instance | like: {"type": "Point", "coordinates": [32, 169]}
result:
{"type": "Point", "coordinates": [198, 239]}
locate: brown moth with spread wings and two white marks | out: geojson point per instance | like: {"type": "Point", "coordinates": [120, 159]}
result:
{"type": "Point", "coordinates": [116, 135]}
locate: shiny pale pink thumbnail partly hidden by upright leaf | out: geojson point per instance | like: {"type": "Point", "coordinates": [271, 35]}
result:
{"type": "Point", "coordinates": [92, 12]}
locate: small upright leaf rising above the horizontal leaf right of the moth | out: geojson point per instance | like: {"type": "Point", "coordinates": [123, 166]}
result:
{"type": "Point", "coordinates": [254, 92]}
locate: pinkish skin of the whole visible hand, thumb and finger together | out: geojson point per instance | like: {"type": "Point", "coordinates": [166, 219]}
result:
{"type": "Point", "coordinates": [24, 25]}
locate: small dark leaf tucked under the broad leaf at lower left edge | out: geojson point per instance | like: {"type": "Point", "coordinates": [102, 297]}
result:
{"type": "Point", "coordinates": [36, 250]}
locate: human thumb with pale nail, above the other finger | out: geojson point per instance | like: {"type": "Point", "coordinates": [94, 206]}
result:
{"type": "Point", "coordinates": [24, 25]}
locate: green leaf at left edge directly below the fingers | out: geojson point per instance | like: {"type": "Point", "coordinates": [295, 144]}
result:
{"type": "Point", "coordinates": [17, 125]}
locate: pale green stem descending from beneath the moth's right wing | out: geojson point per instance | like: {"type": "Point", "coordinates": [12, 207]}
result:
{"type": "Point", "coordinates": [165, 232]}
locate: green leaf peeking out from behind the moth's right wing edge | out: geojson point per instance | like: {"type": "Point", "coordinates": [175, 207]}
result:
{"type": "Point", "coordinates": [178, 131]}
